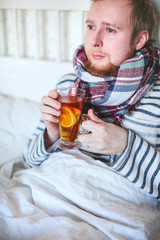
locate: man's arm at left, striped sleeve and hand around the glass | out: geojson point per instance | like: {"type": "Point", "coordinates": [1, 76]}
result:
{"type": "Point", "coordinates": [46, 133]}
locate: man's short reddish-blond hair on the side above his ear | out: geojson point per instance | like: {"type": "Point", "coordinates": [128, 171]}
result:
{"type": "Point", "coordinates": [142, 16]}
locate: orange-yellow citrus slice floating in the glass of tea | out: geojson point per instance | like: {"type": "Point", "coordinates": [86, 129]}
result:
{"type": "Point", "coordinates": [67, 117]}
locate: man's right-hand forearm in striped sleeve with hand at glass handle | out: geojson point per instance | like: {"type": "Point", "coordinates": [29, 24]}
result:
{"type": "Point", "coordinates": [132, 156]}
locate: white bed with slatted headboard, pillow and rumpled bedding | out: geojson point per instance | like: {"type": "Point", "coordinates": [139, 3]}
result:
{"type": "Point", "coordinates": [66, 197]}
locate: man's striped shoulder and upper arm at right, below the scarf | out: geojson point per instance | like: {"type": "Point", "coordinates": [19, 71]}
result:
{"type": "Point", "coordinates": [145, 120]}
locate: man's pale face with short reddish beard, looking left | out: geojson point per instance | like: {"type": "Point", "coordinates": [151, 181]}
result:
{"type": "Point", "coordinates": [108, 35]}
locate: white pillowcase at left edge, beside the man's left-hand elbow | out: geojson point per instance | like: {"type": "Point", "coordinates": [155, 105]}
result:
{"type": "Point", "coordinates": [18, 120]}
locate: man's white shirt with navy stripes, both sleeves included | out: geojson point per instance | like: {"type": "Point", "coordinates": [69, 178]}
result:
{"type": "Point", "coordinates": [140, 160]}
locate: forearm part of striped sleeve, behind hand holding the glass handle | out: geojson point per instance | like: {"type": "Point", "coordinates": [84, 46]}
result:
{"type": "Point", "coordinates": [140, 163]}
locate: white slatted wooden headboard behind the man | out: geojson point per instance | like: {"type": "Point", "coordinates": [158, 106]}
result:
{"type": "Point", "coordinates": [37, 42]}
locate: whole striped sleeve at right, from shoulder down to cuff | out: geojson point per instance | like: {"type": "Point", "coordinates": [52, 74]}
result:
{"type": "Point", "coordinates": [140, 161]}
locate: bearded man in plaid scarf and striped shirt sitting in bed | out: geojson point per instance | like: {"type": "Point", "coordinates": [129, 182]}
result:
{"type": "Point", "coordinates": [119, 68]}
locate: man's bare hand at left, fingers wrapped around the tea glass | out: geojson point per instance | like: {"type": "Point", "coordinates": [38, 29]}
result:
{"type": "Point", "coordinates": [50, 110]}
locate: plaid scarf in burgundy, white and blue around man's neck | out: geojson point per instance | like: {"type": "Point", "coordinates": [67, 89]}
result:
{"type": "Point", "coordinates": [112, 98]}
